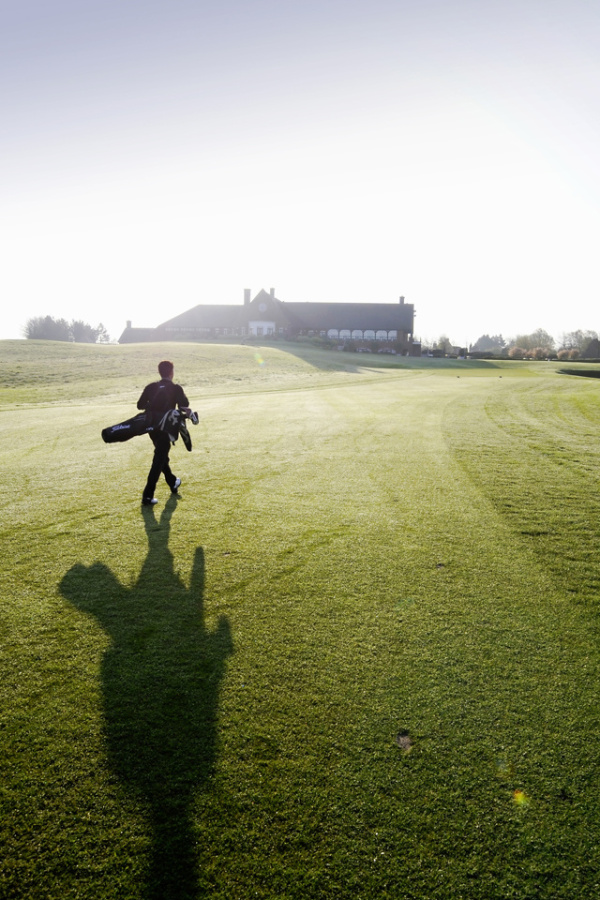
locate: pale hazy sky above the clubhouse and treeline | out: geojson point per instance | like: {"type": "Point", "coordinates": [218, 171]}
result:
{"type": "Point", "coordinates": [158, 155]}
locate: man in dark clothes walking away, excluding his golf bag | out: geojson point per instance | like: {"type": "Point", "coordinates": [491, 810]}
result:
{"type": "Point", "coordinates": [157, 400]}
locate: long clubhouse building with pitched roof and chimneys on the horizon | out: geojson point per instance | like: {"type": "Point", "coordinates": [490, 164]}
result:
{"type": "Point", "coordinates": [265, 316]}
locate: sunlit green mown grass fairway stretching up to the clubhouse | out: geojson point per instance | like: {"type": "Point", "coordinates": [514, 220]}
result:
{"type": "Point", "coordinates": [359, 658]}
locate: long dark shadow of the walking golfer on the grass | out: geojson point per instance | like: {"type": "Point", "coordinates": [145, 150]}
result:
{"type": "Point", "coordinates": [161, 678]}
